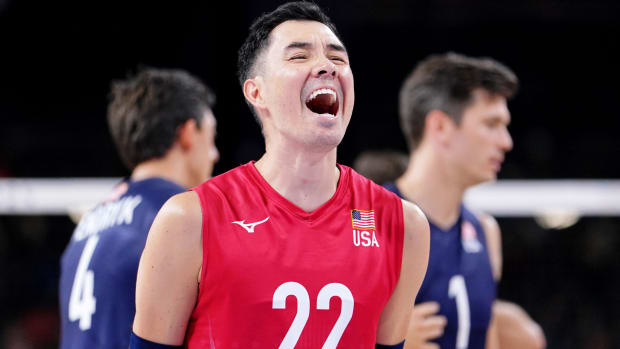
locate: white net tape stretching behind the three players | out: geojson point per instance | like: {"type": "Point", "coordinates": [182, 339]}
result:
{"type": "Point", "coordinates": [505, 198]}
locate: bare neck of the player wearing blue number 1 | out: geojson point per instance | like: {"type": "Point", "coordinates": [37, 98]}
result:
{"type": "Point", "coordinates": [433, 186]}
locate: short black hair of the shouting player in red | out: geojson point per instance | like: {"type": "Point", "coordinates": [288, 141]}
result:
{"type": "Point", "coordinates": [258, 36]}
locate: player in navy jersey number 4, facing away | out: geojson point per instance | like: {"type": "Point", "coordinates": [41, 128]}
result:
{"type": "Point", "coordinates": [163, 127]}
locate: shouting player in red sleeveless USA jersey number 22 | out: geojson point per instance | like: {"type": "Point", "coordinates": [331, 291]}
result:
{"type": "Point", "coordinates": [294, 250]}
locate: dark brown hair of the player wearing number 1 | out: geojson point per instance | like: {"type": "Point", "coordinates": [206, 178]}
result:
{"type": "Point", "coordinates": [446, 82]}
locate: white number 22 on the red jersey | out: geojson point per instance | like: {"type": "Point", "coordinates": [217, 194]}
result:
{"type": "Point", "coordinates": [303, 310]}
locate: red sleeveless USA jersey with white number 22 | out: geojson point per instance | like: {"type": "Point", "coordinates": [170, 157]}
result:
{"type": "Point", "coordinates": [275, 276]}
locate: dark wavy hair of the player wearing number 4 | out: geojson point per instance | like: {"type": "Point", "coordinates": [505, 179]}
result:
{"type": "Point", "coordinates": [145, 111]}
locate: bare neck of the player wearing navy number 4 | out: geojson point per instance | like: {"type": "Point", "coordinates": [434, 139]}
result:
{"type": "Point", "coordinates": [169, 167]}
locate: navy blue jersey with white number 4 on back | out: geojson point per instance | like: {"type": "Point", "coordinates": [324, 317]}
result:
{"type": "Point", "coordinates": [100, 263]}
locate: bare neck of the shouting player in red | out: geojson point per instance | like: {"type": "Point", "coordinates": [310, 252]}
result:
{"type": "Point", "coordinates": [307, 179]}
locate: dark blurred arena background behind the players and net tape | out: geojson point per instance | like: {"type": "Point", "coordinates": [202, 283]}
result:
{"type": "Point", "coordinates": [57, 60]}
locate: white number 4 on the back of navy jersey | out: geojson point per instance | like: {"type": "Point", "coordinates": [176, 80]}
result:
{"type": "Point", "coordinates": [82, 302]}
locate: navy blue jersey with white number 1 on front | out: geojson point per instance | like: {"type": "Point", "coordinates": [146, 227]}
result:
{"type": "Point", "coordinates": [459, 277]}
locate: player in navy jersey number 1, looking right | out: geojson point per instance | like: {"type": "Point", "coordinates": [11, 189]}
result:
{"type": "Point", "coordinates": [454, 115]}
